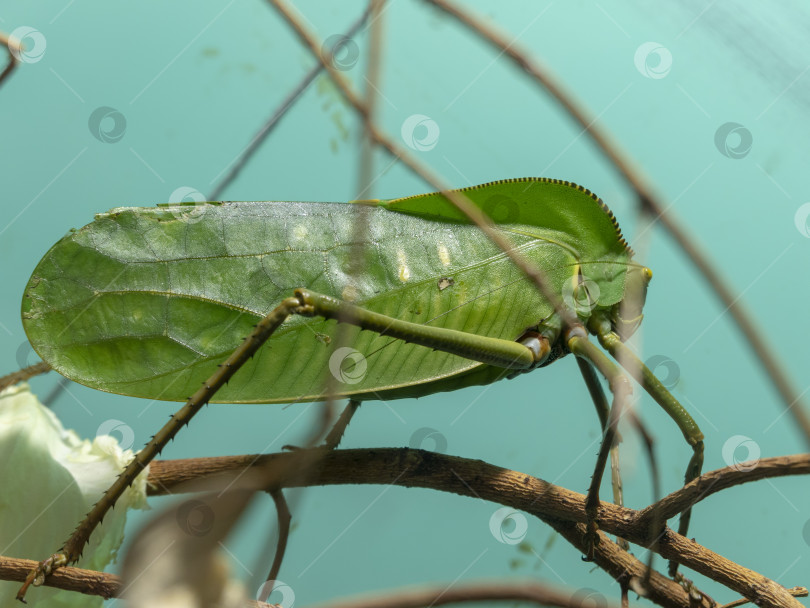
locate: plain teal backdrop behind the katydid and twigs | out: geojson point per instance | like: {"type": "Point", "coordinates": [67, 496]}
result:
{"type": "Point", "coordinates": [195, 80]}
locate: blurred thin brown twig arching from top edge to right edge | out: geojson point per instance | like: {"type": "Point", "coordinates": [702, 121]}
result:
{"type": "Point", "coordinates": [647, 198]}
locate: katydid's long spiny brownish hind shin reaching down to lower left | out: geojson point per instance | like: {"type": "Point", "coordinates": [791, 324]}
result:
{"type": "Point", "coordinates": [72, 549]}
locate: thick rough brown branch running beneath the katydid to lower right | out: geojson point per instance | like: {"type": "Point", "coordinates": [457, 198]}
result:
{"type": "Point", "coordinates": [555, 505]}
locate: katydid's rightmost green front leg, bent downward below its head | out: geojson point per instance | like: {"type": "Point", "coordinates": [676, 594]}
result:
{"type": "Point", "coordinates": [642, 374]}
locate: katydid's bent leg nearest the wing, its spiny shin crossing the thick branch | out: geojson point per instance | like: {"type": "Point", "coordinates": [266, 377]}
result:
{"type": "Point", "coordinates": [578, 343]}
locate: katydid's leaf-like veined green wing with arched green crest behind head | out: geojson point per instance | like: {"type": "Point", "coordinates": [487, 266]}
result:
{"type": "Point", "coordinates": [147, 301]}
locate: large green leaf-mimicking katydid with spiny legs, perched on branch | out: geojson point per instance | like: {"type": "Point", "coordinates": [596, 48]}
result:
{"type": "Point", "coordinates": [149, 302]}
